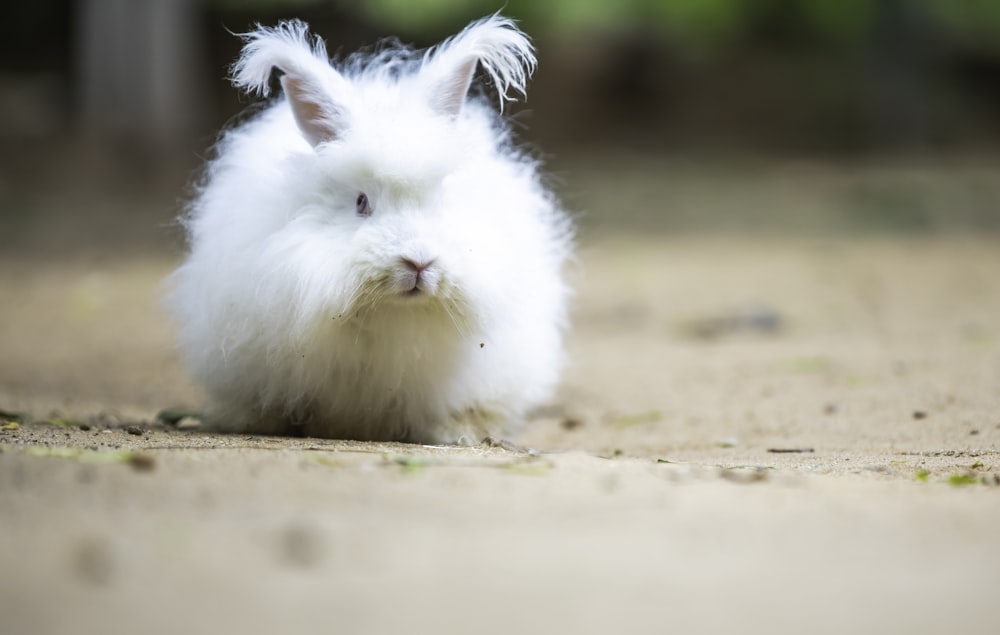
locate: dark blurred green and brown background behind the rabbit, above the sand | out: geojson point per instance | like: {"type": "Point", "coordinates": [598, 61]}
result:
{"type": "Point", "coordinates": [806, 116]}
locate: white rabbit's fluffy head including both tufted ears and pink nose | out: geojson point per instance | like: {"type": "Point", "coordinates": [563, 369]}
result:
{"type": "Point", "coordinates": [394, 194]}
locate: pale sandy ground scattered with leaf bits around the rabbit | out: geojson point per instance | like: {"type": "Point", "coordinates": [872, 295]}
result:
{"type": "Point", "coordinates": [756, 435]}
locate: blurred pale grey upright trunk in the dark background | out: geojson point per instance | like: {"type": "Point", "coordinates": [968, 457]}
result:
{"type": "Point", "coordinates": [139, 76]}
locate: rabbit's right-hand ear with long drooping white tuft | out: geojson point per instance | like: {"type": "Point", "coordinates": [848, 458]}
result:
{"type": "Point", "coordinates": [505, 52]}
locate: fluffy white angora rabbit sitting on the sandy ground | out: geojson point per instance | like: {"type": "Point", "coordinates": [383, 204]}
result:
{"type": "Point", "coordinates": [370, 257]}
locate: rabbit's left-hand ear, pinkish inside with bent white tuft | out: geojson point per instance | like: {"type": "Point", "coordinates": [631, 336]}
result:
{"type": "Point", "coordinates": [309, 81]}
